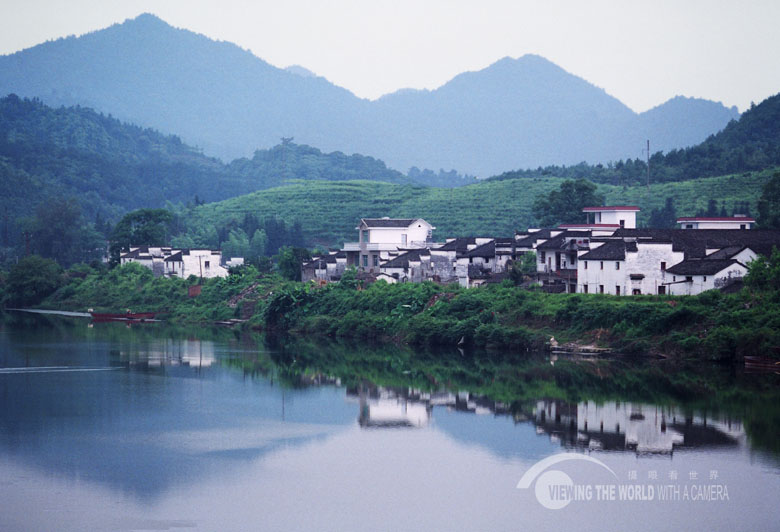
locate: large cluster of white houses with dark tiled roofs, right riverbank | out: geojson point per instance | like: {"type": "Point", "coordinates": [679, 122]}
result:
{"type": "Point", "coordinates": [607, 254]}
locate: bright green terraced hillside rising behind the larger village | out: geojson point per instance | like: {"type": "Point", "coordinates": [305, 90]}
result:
{"type": "Point", "coordinates": [329, 211]}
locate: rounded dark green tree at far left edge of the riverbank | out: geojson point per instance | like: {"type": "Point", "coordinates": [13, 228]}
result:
{"type": "Point", "coordinates": [32, 279]}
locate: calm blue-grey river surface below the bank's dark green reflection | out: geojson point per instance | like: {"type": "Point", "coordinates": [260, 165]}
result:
{"type": "Point", "coordinates": [152, 428]}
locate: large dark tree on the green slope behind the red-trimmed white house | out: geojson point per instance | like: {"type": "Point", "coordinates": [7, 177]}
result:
{"type": "Point", "coordinates": [565, 204]}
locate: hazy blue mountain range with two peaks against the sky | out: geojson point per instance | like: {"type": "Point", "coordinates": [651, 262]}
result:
{"type": "Point", "coordinates": [522, 112]}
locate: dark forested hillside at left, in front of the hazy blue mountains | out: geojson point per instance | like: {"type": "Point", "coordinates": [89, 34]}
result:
{"type": "Point", "coordinates": [111, 167]}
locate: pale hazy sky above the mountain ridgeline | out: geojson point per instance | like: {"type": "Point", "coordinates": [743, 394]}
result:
{"type": "Point", "coordinates": [641, 52]}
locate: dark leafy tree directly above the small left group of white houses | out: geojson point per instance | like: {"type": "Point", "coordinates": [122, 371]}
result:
{"type": "Point", "coordinates": [143, 227]}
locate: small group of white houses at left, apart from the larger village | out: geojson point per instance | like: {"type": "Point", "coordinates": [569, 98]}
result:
{"type": "Point", "coordinates": [174, 262]}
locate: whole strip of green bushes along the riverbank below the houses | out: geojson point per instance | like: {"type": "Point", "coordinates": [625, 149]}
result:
{"type": "Point", "coordinates": [711, 326]}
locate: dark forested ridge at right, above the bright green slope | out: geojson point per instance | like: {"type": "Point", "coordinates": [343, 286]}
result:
{"type": "Point", "coordinates": [748, 144]}
